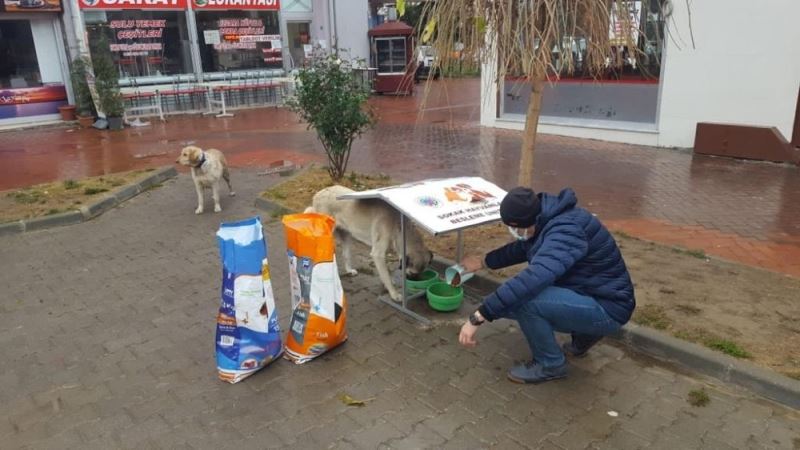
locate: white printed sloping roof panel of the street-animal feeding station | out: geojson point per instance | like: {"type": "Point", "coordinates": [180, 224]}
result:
{"type": "Point", "coordinates": [443, 205]}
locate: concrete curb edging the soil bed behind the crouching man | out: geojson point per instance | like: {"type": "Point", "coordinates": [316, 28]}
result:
{"type": "Point", "coordinates": [762, 381]}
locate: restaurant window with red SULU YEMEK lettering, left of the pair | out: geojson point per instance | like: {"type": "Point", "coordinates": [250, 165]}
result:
{"type": "Point", "coordinates": [142, 43]}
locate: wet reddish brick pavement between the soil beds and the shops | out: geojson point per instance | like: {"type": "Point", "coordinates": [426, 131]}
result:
{"type": "Point", "coordinates": [737, 210]}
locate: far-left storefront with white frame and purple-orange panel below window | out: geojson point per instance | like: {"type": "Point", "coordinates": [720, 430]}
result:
{"type": "Point", "coordinates": [33, 65]}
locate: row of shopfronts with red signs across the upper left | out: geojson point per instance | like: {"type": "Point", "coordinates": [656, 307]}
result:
{"type": "Point", "coordinates": [158, 43]}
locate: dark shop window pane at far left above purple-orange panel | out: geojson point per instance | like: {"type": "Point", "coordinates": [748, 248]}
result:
{"type": "Point", "coordinates": [19, 67]}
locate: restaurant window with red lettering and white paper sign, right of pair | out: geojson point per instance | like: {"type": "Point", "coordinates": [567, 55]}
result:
{"type": "Point", "coordinates": [239, 40]}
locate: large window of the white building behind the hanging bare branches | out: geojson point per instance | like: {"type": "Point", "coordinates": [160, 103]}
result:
{"type": "Point", "coordinates": [624, 96]}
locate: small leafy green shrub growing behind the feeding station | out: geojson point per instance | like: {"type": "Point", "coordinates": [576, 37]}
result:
{"type": "Point", "coordinates": [332, 100]}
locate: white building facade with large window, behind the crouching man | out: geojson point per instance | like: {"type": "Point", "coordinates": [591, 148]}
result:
{"type": "Point", "coordinates": [722, 61]}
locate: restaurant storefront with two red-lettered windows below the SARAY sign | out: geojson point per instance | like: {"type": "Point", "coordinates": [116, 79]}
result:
{"type": "Point", "coordinates": [156, 42]}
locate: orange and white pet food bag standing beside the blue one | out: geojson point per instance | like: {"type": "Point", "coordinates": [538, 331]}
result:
{"type": "Point", "coordinates": [319, 308]}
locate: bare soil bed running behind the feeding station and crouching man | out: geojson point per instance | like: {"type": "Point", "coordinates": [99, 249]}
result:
{"type": "Point", "coordinates": [743, 311]}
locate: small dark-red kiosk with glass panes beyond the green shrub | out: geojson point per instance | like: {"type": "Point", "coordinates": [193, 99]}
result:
{"type": "Point", "coordinates": [391, 50]}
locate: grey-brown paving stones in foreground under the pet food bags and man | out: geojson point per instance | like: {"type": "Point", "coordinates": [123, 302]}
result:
{"type": "Point", "coordinates": [107, 341]}
